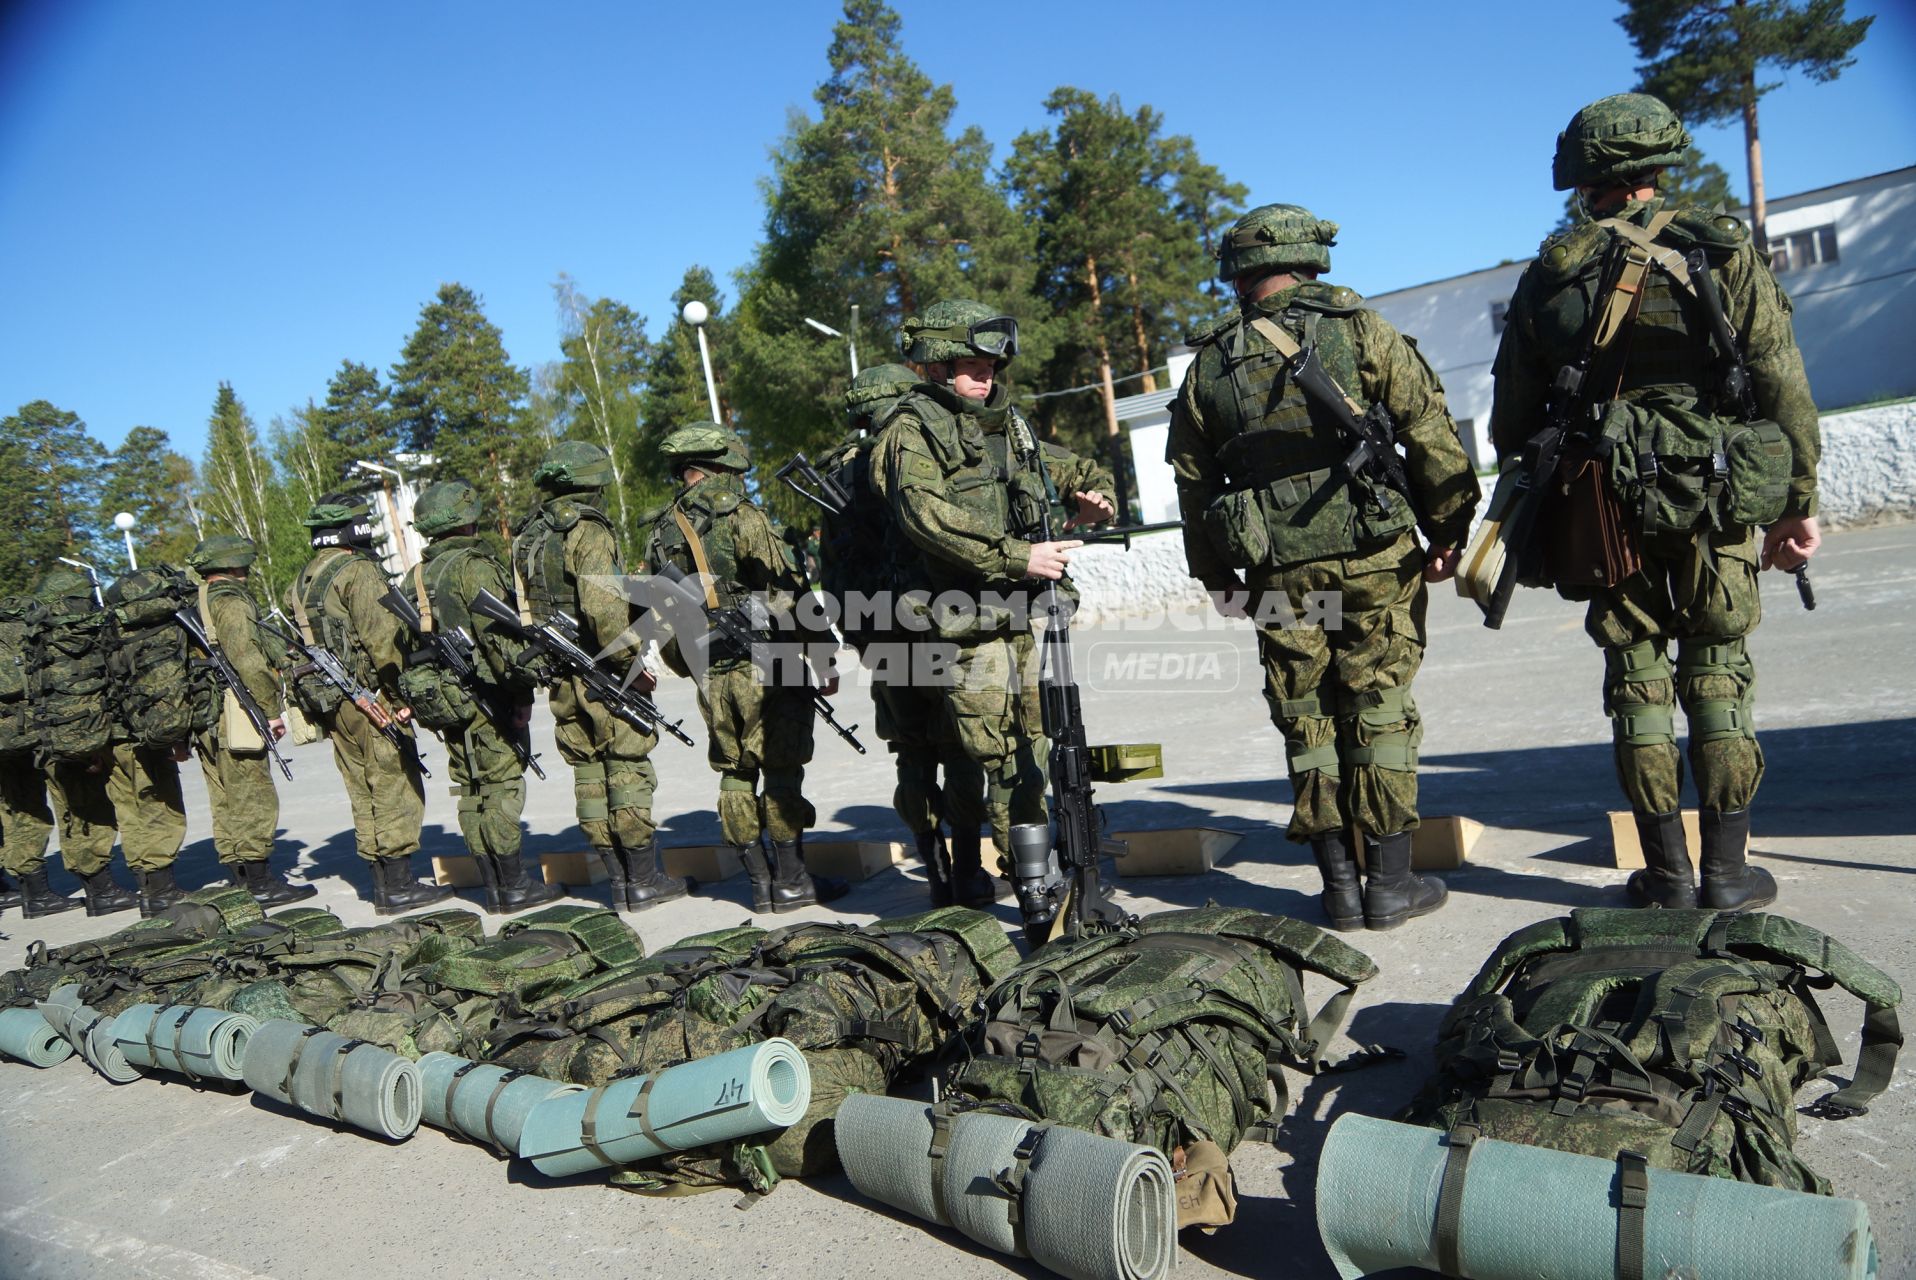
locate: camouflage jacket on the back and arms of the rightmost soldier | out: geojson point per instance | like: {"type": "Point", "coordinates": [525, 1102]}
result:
{"type": "Point", "coordinates": [1670, 344]}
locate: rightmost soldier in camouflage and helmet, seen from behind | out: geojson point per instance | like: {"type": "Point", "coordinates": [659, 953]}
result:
{"type": "Point", "coordinates": [1626, 296]}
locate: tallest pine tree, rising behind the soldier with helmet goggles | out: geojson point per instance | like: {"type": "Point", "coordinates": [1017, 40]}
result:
{"type": "Point", "coordinates": [878, 204]}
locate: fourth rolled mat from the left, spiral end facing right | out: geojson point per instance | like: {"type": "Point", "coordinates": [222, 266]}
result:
{"type": "Point", "coordinates": [325, 1074]}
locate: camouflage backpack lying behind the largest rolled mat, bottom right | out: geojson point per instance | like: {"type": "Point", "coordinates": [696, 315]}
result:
{"type": "Point", "coordinates": [1676, 1036]}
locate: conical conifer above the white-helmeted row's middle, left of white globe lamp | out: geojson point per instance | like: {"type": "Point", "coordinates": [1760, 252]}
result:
{"type": "Point", "coordinates": [459, 398]}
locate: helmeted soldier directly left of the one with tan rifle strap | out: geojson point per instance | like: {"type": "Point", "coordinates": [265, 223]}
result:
{"type": "Point", "coordinates": [568, 559]}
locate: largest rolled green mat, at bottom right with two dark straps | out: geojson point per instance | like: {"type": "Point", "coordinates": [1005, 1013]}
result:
{"type": "Point", "coordinates": [1530, 1212]}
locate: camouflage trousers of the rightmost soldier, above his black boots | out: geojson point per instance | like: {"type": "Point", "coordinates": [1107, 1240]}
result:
{"type": "Point", "coordinates": [1702, 595]}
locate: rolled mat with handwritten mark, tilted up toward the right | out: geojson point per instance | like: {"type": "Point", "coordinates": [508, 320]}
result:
{"type": "Point", "coordinates": [735, 1095]}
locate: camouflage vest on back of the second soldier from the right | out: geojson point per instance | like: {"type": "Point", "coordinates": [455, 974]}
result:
{"type": "Point", "coordinates": [1285, 501]}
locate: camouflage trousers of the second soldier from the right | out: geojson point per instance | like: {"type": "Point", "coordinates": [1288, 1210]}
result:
{"type": "Point", "coordinates": [1342, 695]}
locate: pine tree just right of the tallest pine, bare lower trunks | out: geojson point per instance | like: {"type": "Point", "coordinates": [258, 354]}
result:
{"type": "Point", "coordinates": [1126, 225]}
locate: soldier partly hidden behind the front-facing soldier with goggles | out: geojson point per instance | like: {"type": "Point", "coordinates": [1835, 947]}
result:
{"type": "Point", "coordinates": [857, 555]}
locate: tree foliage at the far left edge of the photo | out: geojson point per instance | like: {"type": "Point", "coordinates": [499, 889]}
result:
{"type": "Point", "coordinates": [51, 474]}
